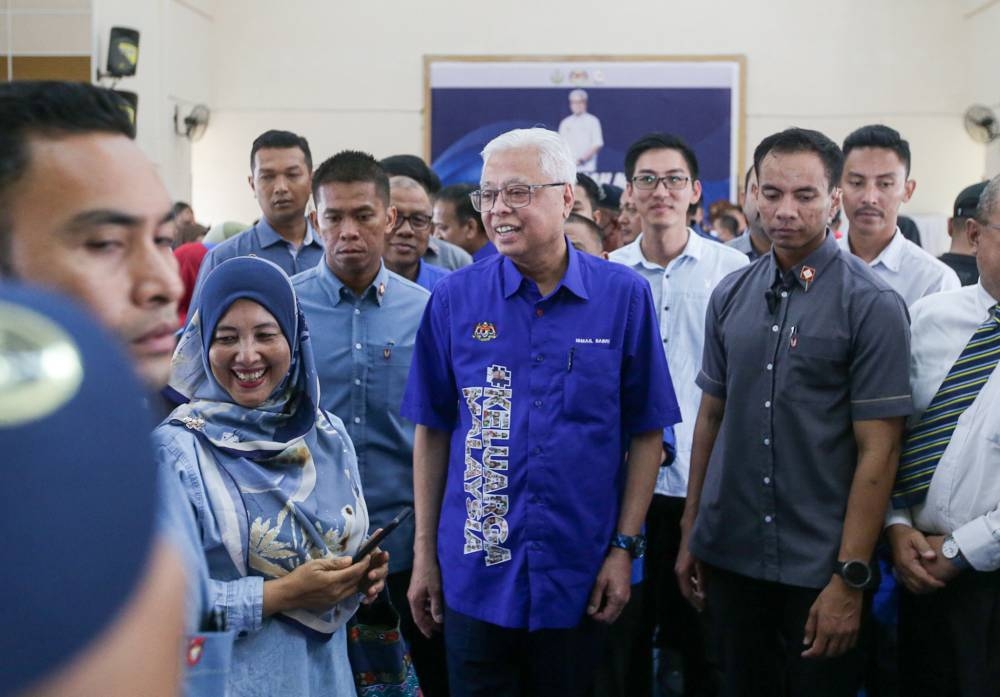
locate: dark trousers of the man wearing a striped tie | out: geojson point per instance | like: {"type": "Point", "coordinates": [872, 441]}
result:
{"type": "Point", "coordinates": [949, 640]}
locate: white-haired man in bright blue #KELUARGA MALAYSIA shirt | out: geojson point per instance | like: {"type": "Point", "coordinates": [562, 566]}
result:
{"type": "Point", "coordinates": [534, 372]}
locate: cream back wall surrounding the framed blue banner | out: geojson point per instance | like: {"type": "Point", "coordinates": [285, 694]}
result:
{"type": "Point", "coordinates": [351, 74]}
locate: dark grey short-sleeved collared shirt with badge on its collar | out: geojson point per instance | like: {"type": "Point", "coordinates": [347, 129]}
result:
{"type": "Point", "coordinates": [798, 357]}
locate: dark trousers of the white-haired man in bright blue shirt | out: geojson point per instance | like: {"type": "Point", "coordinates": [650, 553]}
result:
{"type": "Point", "coordinates": [486, 660]}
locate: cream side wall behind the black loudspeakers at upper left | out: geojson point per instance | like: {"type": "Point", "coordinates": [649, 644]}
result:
{"type": "Point", "coordinates": [175, 53]}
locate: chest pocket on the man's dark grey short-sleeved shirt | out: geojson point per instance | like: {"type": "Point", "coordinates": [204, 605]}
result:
{"type": "Point", "coordinates": [817, 369]}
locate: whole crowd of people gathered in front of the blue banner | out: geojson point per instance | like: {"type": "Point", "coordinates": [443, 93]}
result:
{"type": "Point", "coordinates": [624, 435]}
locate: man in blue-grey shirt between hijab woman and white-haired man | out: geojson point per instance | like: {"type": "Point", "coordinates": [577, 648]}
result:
{"type": "Point", "coordinates": [363, 319]}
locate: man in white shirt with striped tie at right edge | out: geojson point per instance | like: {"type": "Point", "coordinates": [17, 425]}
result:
{"type": "Point", "coordinates": [945, 531]}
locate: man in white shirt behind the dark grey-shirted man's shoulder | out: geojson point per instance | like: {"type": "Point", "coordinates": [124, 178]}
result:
{"type": "Point", "coordinates": [875, 183]}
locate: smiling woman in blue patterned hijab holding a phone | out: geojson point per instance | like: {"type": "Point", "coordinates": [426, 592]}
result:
{"type": "Point", "coordinates": [274, 484]}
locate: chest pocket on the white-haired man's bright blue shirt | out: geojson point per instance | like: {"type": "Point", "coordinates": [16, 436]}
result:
{"type": "Point", "coordinates": [593, 382]}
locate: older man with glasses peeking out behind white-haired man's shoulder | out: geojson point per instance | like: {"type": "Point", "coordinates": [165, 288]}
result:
{"type": "Point", "coordinates": [406, 241]}
